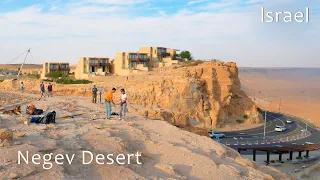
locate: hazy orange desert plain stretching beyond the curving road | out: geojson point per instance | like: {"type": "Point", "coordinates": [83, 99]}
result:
{"type": "Point", "coordinates": [287, 85]}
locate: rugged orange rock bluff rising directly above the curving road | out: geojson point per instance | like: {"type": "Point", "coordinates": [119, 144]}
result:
{"type": "Point", "coordinates": [209, 93]}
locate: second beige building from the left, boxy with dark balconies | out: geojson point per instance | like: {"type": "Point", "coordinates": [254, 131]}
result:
{"type": "Point", "coordinates": [91, 66]}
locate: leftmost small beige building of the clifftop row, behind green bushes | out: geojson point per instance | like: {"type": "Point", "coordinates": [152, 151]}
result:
{"type": "Point", "coordinates": [48, 67]}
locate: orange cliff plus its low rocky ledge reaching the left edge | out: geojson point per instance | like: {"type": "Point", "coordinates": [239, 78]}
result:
{"type": "Point", "coordinates": [209, 93]}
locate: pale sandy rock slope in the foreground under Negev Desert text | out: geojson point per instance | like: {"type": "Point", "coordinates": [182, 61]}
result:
{"type": "Point", "coordinates": [167, 151]}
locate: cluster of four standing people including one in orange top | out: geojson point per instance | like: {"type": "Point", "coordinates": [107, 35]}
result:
{"type": "Point", "coordinates": [109, 101]}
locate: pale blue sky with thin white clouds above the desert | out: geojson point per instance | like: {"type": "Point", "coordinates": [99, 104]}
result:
{"type": "Point", "coordinates": [230, 30]}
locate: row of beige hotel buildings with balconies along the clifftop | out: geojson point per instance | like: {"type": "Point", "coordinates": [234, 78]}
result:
{"type": "Point", "coordinates": [125, 63]}
